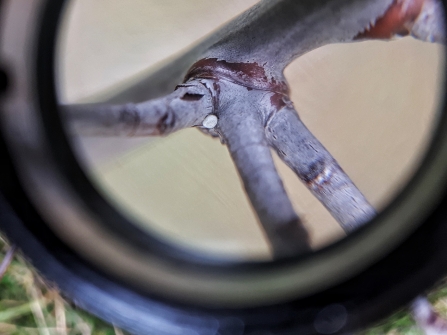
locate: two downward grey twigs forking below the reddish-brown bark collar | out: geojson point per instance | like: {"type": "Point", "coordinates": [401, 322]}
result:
{"type": "Point", "coordinates": [256, 114]}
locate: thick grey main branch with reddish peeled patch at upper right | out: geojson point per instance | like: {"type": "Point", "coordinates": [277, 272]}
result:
{"type": "Point", "coordinates": [273, 33]}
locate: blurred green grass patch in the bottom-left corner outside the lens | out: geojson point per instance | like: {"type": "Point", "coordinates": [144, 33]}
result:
{"type": "Point", "coordinates": [29, 306]}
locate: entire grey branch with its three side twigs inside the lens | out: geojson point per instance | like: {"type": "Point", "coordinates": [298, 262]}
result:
{"type": "Point", "coordinates": [235, 90]}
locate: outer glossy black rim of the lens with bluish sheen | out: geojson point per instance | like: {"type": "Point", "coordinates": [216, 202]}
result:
{"type": "Point", "coordinates": [374, 293]}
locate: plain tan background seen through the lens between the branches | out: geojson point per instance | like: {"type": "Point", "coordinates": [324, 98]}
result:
{"type": "Point", "coordinates": [372, 104]}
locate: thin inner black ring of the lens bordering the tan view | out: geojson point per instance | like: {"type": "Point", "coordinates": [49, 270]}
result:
{"type": "Point", "coordinates": [111, 218]}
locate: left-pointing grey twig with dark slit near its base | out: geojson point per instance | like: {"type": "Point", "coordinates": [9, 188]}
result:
{"type": "Point", "coordinates": [186, 107]}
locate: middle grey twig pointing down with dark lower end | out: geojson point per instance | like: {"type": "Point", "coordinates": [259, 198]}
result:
{"type": "Point", "coordinates": [242, 129]}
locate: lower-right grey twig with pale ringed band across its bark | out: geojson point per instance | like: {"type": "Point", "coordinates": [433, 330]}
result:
{"type": "Point", "coordinates": [319, 171]}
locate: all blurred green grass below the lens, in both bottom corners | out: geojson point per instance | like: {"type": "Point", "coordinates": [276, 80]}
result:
{"type": "Point", "coordinates": [29, 306]}
